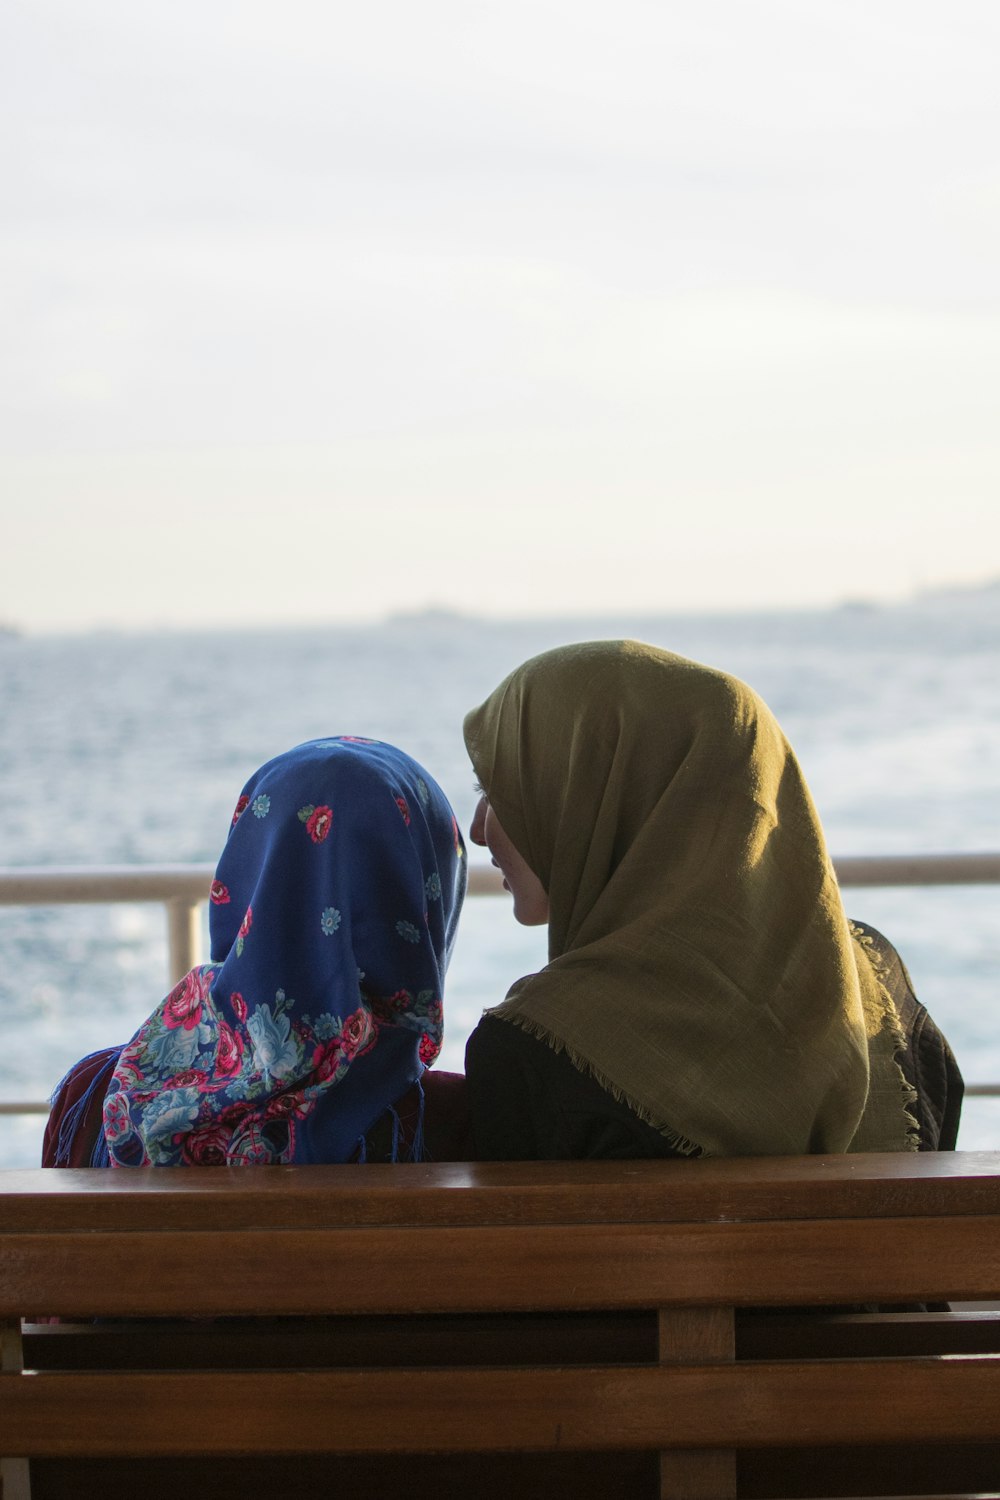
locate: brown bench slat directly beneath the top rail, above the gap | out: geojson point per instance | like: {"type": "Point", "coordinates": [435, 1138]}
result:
{"type": "Point", "coordinates": [596, 1267]}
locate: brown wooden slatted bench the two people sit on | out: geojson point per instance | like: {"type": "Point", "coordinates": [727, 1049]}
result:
{"type": "Point", "coordinates": [533, 1330]}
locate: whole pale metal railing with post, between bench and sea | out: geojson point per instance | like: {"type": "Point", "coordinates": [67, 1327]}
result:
{"type": "Point", "coordinates": [184, 889]}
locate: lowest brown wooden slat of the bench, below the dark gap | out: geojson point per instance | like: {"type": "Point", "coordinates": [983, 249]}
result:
{"type": "Point", "coordinates": [668, 1408]}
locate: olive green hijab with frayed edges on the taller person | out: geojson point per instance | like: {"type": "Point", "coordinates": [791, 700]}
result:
{"type": "Point", "coordinates": [701, 965]}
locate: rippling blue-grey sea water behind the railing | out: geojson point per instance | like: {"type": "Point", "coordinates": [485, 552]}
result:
{"type": "Point", "coordinates": [122, 749]}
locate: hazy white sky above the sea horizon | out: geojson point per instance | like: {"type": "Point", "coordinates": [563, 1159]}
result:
{"type": "Point", "coordinates": [317, 310]}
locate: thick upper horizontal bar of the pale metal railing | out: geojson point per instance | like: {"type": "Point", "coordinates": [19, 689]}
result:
{"type": "Point", "coordinates": [34, 886]}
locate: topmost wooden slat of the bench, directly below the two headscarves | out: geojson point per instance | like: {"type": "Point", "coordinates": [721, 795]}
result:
{"type": "Point", "coordinates": [917, 1186]}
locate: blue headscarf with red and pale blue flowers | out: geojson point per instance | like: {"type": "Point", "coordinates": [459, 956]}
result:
{"type": "Point", "coordinates": [334, 914]}
